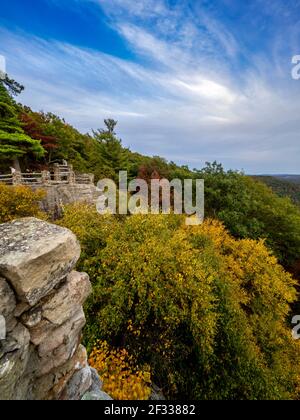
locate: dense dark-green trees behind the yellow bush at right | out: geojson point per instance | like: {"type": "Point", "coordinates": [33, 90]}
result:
{"type": "Point", "coordinates": [250, 209]}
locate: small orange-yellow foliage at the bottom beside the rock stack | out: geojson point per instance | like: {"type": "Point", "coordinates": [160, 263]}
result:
{"type": "Point", "coordinates": [121, 379]}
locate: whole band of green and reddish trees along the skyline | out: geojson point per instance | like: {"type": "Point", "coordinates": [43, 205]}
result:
{"type": "Point", "coordinates": [245, 205]}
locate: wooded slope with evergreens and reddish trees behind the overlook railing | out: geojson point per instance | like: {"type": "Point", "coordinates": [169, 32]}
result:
{"type": "Point", "coordinates": [99, 152]}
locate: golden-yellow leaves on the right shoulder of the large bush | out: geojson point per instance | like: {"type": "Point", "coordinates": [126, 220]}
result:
{"type": "Point", "coordinates": [249, 266]}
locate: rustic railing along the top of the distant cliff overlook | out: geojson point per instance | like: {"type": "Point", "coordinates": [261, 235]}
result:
{"type": "Point", "coordinates": [59, 175]}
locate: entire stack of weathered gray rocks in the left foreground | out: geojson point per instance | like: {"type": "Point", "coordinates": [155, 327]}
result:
{"type": "Point", "coordinates": [41, 315]}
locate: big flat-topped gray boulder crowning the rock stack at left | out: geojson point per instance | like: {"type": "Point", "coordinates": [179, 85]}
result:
{"type": "Point", "coordinates": [35, 256]}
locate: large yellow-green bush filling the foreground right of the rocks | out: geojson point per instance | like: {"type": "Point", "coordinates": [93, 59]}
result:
{"type": "Point", "coordinates": [208, 313]}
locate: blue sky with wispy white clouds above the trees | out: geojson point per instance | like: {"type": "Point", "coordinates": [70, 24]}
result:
{"type": "Point", "coordinates": [189, 80]}
